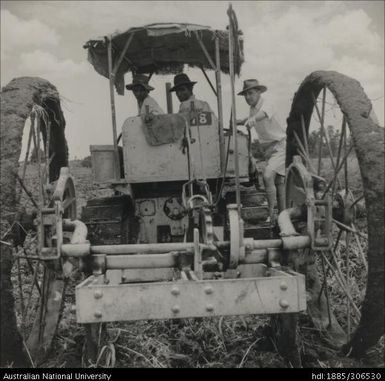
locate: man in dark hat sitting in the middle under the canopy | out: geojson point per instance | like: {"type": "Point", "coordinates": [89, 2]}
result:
{"type": "Point", "coordinates": [184, 91]}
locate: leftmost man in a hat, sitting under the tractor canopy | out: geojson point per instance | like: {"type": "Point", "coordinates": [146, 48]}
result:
{"type": "Point", "coordinates": [141, 90]}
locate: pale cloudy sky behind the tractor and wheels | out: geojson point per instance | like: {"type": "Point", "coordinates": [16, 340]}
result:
{"type": "Point", "coordinates": [284, 41]}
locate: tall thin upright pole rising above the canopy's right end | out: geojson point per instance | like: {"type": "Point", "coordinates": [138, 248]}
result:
{"type": "Point", "coordinates": [233, 113]}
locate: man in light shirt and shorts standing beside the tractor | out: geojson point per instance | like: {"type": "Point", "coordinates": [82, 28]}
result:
{"type": "Point", "coordinates": [272, 137]}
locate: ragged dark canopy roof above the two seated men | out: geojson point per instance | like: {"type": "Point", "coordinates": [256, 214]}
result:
{"type": "Point", "coordinates": [163, 48]}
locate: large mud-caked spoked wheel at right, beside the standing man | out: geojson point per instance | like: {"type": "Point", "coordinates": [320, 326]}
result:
{"type": "Point", "coordinates": [331, 127]}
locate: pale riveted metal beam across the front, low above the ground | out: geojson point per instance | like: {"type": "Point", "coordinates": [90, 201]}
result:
{"type": "Point", "coordinates": [282, 292]}
